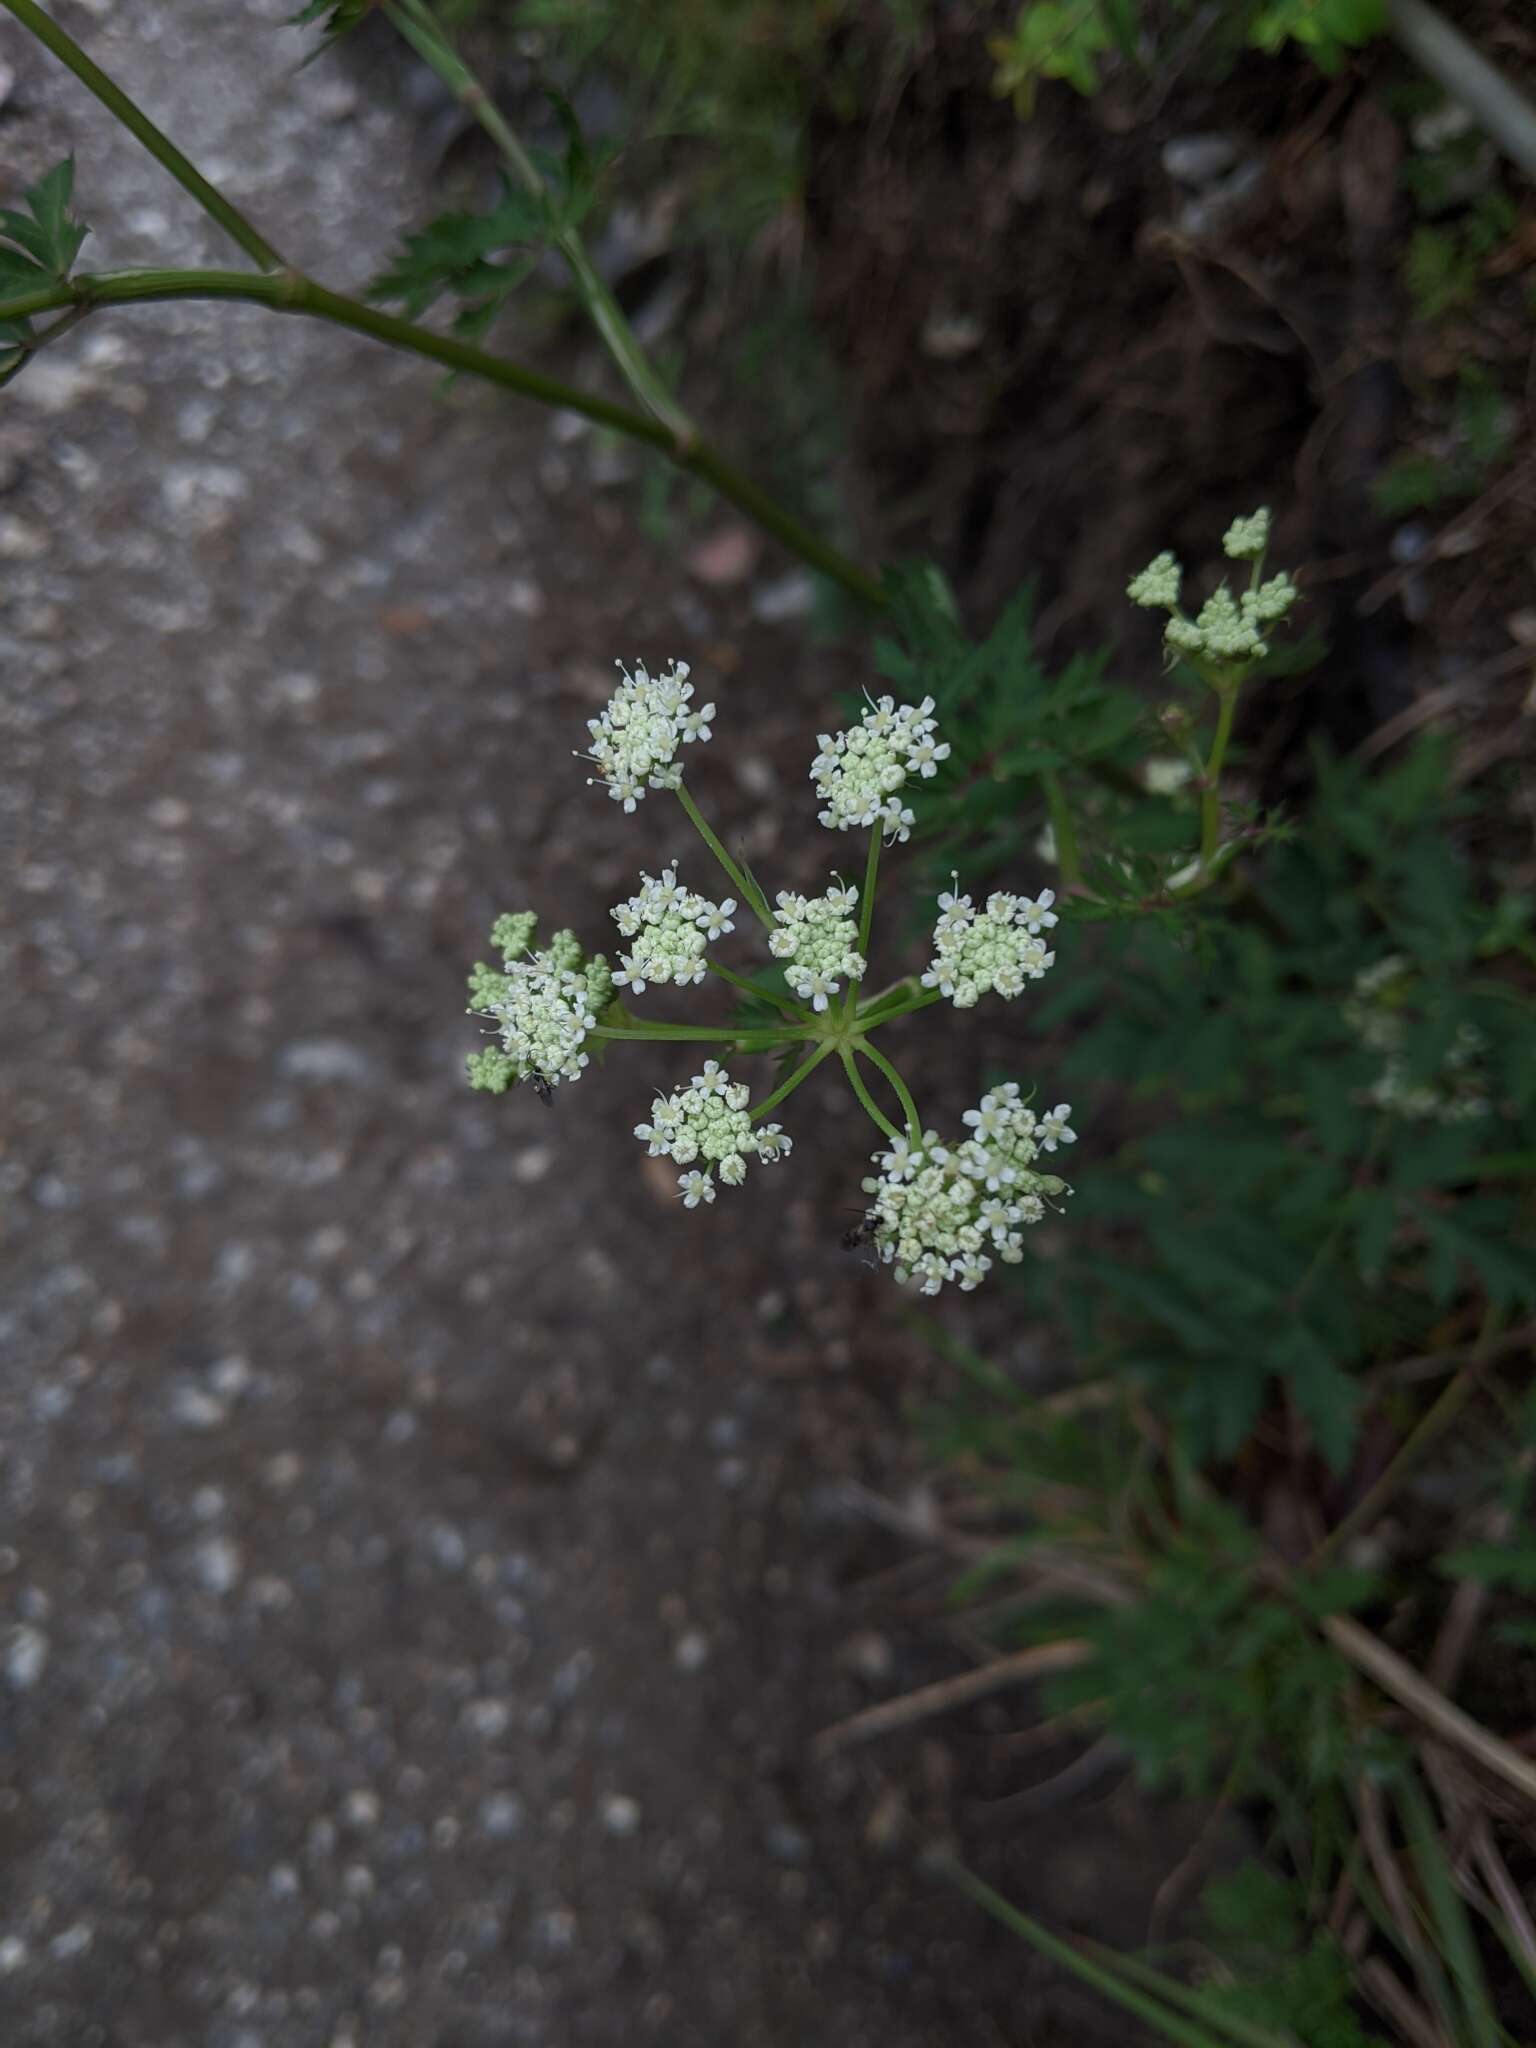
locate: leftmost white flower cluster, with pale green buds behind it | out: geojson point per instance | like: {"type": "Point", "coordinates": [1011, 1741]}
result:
{"type": "Point", "coordinates": [544, 1005]}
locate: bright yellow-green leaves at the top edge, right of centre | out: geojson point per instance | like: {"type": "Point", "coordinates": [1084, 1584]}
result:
{"type": "Point", "coordinates": [1070, 40]}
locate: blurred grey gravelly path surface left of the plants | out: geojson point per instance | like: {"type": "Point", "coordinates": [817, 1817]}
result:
{"type": "Point", "coordinates": [423, 1549]}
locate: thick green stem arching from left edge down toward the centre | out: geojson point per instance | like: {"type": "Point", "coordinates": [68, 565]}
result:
{"type": "Point", "coordinates": [294, 294]}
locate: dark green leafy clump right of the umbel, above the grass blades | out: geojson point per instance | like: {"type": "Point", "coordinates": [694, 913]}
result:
{"type": "Point", "coordinates": [1299, 1187]}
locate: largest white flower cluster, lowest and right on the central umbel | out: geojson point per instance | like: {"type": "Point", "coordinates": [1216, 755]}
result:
{"type": "Point", "coordinates": [939, 1213]}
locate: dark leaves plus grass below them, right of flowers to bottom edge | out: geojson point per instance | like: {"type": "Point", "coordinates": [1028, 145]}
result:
{"type": "Point", "coordinates": [1312, 1078]}
